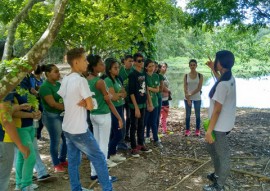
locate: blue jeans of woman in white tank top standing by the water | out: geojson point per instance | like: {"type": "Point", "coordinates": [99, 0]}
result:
{"type": "Point", "coordinates": [197, 107]}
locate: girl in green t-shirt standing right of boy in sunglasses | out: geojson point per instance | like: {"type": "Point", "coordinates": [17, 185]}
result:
{"type": "Point", "coordinates": [152, 82]}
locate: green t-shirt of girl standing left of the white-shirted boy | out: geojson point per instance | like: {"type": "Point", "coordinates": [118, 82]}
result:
{"type": "Point", "coordinates": [50, 89]}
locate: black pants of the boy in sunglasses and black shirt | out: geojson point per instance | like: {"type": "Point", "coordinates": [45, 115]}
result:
{"type": "Point", "coordinates": [137, 124]}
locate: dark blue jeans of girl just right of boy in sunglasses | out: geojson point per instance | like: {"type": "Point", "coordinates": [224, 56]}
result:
{"type": "Point", "coordinates": [150, 121]}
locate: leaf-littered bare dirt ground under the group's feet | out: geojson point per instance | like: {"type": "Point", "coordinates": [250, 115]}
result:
{"type": "Point", "coordinates": [164, 169]}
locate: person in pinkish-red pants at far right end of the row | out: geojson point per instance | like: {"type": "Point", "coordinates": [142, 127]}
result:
{"type": "Point", "coordinates": [165, 98]}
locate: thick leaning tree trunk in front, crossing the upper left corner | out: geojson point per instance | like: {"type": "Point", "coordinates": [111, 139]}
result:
{"type": "Point", "coordinates": [38, 51]}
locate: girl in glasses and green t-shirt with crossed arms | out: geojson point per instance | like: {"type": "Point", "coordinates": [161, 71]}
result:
{"type": "Point", "coordinates": [118, 93]}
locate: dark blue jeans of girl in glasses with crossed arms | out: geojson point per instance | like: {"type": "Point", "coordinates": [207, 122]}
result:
{"type": "Point", "coordinates": [116, 134]}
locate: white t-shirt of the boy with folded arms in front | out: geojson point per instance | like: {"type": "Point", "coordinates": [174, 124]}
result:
{"type": "Point", "coordinates": [73, 89]}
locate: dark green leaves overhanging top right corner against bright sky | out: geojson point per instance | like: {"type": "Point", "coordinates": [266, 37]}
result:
{"type": "Point", "coordinates": [245, 14]}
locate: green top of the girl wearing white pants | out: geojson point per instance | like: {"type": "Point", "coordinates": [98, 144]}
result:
{"type": "Point", "coordinates": [100, 105]}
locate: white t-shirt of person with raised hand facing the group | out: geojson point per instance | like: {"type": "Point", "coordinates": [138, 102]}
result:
{"type": "Point", "coordinates": [226, 95]}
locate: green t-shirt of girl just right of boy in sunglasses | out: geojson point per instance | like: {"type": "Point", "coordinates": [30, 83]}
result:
{"type": "Point", "coordinates": [153, 82]}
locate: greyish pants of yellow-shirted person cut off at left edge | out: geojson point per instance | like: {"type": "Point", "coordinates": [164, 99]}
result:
{"type": "Point", "coordinates": [6, 161]}
